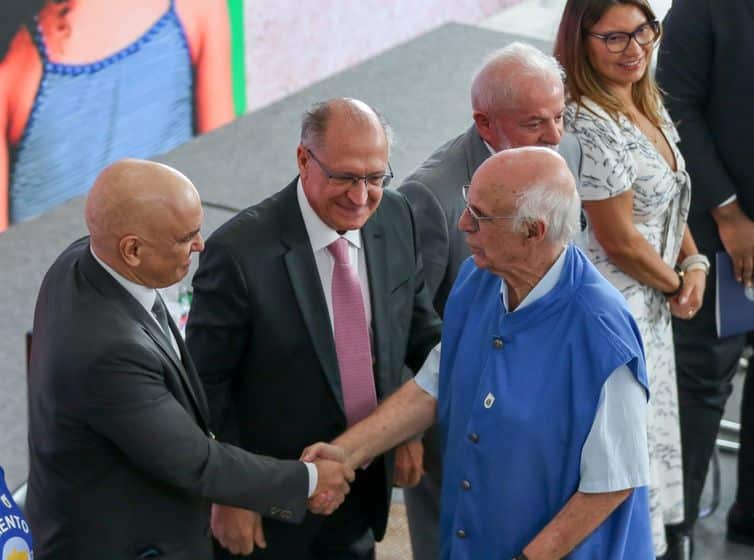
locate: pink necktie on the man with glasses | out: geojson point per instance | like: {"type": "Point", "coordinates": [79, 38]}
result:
{"type": "Point", "coordinates": [351, 336]}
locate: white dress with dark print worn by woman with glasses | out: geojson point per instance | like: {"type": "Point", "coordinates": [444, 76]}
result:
{"type": "Point", "coordinates": [617, 157]}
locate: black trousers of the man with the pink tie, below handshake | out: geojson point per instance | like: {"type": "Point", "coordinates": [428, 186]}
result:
{"type": "Point", "coordinates": [344, 535]}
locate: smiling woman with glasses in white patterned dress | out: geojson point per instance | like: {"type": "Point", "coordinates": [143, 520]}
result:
{"type": "Point", "coordinates": [636, 194]}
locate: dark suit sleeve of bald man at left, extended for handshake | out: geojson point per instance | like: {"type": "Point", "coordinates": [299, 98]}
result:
{"type": "Point", "coordinates": [129, 403]}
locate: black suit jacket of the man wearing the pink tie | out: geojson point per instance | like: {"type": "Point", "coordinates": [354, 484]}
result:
{"type": "Point", "coordinates": [261, 336]}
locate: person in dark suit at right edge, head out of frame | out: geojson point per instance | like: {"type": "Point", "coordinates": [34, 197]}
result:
{"type": "Point", "coordinates": [704, 66]}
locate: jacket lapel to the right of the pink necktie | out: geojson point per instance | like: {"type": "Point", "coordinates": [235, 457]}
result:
{"type": "Point", "coordinates": [375, 255]}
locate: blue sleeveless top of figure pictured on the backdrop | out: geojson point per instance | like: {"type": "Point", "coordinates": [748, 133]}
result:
{"type": "Point", "coordinates": [137, 102]}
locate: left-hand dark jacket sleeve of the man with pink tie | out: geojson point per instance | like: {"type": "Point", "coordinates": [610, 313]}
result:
{"type": "Point", "coordinates": [217, 332]}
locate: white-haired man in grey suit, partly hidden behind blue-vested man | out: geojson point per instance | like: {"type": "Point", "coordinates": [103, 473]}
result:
{"type": "Point", "coordinates": [517, 99]}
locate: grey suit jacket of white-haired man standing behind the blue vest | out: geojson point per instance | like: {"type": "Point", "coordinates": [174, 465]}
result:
{"type": "Point", "coordinates": [434, 191]}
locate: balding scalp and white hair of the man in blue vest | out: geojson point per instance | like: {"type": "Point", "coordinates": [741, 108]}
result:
{"type": "Point", "coordinates": [537, 183]}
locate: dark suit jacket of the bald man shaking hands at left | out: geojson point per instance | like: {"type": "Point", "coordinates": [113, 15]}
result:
{"type": "Point", "coordinates": [121, 459]}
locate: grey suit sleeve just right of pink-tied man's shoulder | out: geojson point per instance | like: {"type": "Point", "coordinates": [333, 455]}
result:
{"type": "Point", "coordinates": [432, 232]}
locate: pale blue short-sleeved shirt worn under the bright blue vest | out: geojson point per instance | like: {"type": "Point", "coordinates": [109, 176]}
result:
{"type": "Point", "coordinates": [614, 456]}
